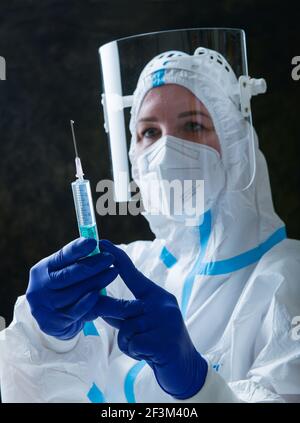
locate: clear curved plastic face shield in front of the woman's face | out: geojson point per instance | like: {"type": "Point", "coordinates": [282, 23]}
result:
{"type": "Point", "coordinates": [180, 100]}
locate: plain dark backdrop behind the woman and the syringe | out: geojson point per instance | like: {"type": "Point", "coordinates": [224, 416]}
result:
{"type": "Point", "coordinates": [53, 74]}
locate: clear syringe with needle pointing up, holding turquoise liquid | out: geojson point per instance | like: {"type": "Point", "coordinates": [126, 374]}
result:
{"type": "Point", "coordinates": [83, 201]}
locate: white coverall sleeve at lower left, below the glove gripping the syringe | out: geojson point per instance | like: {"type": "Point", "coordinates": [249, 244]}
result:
{"type": "Point", "coordinates": [35, 367]}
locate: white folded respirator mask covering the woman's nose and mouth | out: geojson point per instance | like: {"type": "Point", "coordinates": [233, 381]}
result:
{"type": "Point", "coordinates": [179, 178]}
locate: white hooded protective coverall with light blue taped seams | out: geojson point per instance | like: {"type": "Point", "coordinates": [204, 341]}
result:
{"type": "Point", "coordinates": [236, 279]}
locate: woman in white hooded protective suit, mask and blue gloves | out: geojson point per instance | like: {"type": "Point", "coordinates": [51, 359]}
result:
{"type": "Point", "coordinates": [201, 314]}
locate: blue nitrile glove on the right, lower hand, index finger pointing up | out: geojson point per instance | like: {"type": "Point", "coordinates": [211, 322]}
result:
{"type": "Point", "coordinates": [158, 334]}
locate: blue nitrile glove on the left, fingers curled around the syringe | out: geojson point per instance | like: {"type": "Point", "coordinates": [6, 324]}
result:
{"type": "Point", "coordinates": [64, 288]}
